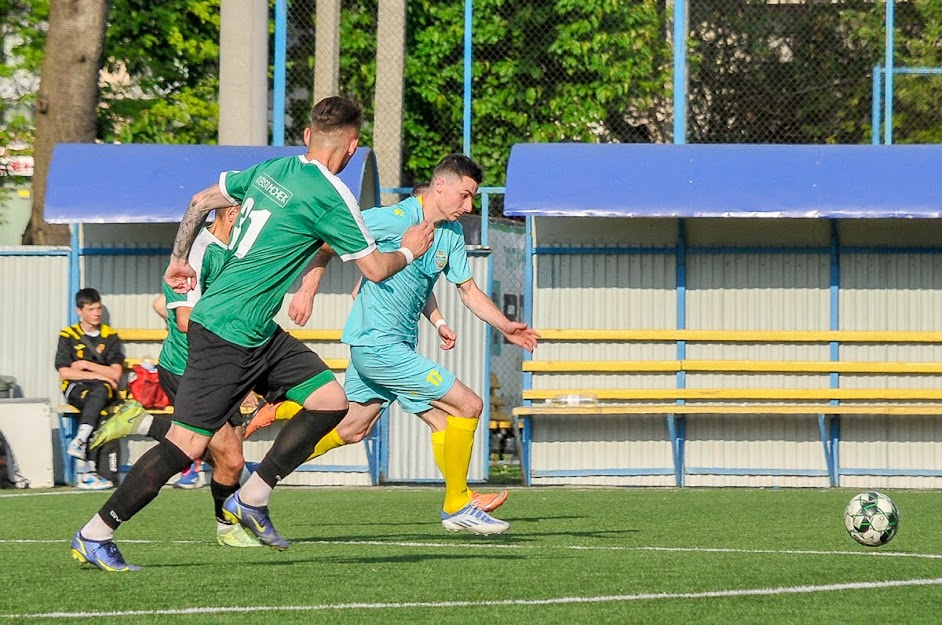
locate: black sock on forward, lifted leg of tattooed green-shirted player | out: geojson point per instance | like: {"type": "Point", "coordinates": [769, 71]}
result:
{"type": "Point", "coordinates": [295, 443]}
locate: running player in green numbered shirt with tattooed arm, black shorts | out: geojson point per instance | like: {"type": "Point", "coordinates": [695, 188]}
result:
{"type": "Point", "coordinates": [290, 207]}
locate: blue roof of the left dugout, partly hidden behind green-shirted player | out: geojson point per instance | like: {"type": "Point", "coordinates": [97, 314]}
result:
{"type": "Point", "coordinates": [137, 183]}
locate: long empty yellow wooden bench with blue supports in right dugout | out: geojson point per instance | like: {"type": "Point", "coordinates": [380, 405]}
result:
{"type": "Point", "coordinates": [824, 396]}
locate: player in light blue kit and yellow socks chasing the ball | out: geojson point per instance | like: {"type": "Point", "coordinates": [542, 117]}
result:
{"type": "Point", "coordinates": [382, 332]}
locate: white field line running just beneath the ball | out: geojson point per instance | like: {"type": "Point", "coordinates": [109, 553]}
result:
{"type": "Point", "coordinates": [494, 546]}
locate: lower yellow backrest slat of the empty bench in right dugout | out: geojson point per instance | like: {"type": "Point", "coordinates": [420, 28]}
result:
{"type": "Point", "coordinates": [744, 366]}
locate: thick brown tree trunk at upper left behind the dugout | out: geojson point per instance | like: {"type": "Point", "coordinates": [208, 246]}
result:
{"type": "Point", "coordinates": [68, 95]}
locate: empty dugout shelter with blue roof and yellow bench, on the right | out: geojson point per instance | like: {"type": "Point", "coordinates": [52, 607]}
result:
{"type": "Point", "coordinates": [721, 315]}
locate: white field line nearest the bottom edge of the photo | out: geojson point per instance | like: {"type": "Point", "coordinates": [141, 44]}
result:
{"type": "Point", "coordinates": [710, 594]}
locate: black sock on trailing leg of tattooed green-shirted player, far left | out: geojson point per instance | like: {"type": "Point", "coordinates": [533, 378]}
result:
{"type": "Point", "coordinates": [142, 484]}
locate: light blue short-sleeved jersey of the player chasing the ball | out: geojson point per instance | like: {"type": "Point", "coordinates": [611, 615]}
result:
{"type": "Point", "coordinates": [389, 311]}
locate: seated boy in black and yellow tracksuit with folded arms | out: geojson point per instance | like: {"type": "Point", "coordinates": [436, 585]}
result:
{"type": "Point", "coordinates": [90, 361]}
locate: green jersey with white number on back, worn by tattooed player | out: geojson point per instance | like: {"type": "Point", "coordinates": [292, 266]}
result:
{"type": "Point", "coordinates": [290, 207]}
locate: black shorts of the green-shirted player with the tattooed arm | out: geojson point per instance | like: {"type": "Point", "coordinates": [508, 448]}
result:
{"type": "Point", "coordinates": [219, 374]}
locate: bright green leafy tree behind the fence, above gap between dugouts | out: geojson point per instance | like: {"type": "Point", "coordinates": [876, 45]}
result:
{"type": "Point", "coordinates": [543, 70]}
